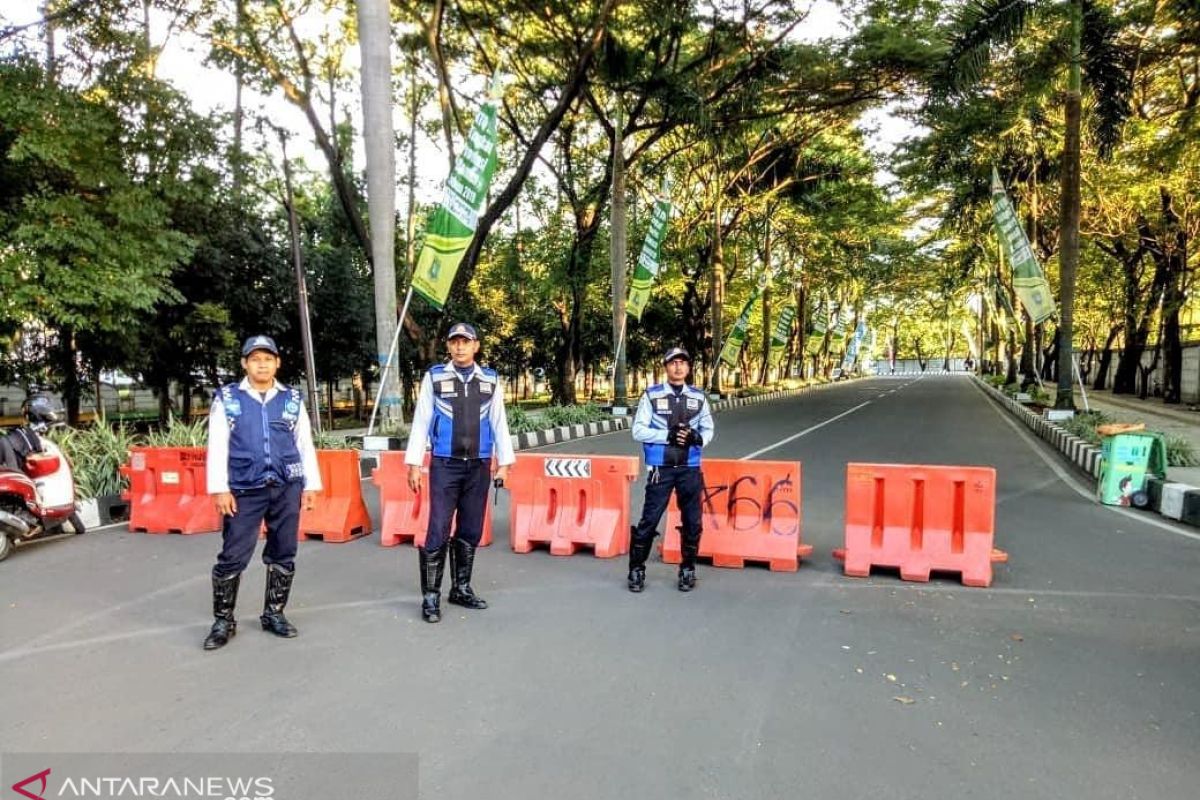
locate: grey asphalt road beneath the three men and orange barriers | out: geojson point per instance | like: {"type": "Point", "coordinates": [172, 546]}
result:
{"type": "Point", "coordinates": [1073, 676]}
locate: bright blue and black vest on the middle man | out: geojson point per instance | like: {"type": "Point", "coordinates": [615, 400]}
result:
{"type": "Point", "coordinates": [461, 426]}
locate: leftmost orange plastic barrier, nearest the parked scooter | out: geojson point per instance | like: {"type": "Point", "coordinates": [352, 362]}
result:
{"type": "Point", "coordinates": [169, 491]}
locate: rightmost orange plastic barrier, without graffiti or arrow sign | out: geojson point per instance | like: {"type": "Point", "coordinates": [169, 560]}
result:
{"type": "Point", "coordinates": [921, 519]}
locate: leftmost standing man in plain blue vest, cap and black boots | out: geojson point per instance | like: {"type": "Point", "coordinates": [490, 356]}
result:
{"type": "Point", "coordinates": [261, 461]}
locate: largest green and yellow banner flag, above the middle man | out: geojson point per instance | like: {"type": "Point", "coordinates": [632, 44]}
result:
{"type": "Point", "coordinates": [453, 225]}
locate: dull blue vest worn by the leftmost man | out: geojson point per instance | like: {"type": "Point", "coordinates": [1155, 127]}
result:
{"type": "Point", "coordinates": [262, 446]}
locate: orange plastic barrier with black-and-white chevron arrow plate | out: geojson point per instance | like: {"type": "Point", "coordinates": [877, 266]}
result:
{"type": "Point", "coordinates": [568, 502]}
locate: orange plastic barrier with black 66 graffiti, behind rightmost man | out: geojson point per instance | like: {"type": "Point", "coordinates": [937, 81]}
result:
{"type": "Point", "coordinates": [751, 513]}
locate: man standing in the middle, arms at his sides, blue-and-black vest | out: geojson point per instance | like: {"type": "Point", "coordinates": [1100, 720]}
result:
{"type": "Point", "coordinates": [460, 416]}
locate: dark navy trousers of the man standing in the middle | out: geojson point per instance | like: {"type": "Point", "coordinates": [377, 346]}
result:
{"type": "Point", "coordinates": [458, 495]}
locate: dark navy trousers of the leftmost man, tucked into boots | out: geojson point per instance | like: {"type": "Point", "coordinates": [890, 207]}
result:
{"type": "Point", "coordinates": [280, 508]}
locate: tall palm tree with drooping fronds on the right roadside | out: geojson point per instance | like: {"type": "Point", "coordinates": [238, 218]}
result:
{"type": "Point", "coordinates": [1089, 33]}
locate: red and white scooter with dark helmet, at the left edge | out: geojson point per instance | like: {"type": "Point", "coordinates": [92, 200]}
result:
{"type": "Point", "coordinates": [37, 485]}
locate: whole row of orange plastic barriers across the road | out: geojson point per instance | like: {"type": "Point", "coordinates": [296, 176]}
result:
{"type": "Point", "coordinates": [917, 519]}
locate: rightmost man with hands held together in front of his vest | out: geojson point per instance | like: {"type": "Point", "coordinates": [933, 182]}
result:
{"type": "Point", "coordinates": [674, 423]}
